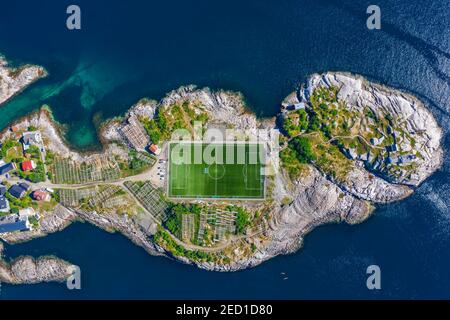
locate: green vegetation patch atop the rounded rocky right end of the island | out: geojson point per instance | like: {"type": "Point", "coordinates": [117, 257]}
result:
{"type": "Point", "coordinates": [326, 119]}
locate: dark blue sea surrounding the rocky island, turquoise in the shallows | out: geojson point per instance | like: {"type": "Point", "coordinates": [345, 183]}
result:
{"type": "Point", "coordinates": [131, 49]}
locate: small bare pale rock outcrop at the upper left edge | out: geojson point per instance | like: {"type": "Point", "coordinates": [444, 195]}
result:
{"type": "Point", "coordinates": [14, 80]}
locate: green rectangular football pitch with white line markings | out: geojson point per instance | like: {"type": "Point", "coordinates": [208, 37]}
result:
{"type": "Point", "coordinates": [239, 173]}
